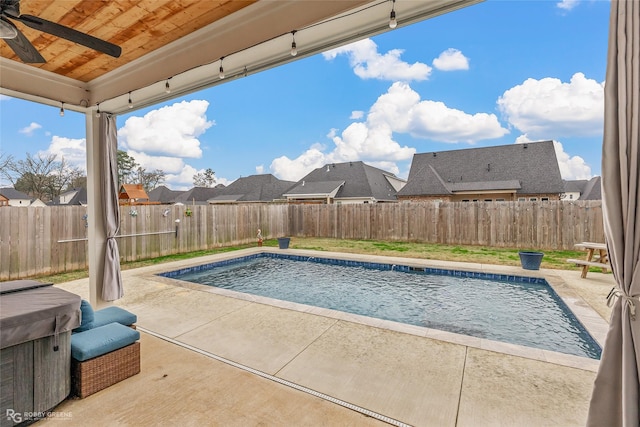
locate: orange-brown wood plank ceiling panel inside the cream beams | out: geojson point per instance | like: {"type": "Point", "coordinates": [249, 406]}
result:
{"type": "Point", "coordinates": [138, 27]}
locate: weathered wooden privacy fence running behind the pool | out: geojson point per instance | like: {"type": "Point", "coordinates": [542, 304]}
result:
{"type": "Point", "coordinates": [48, 240]}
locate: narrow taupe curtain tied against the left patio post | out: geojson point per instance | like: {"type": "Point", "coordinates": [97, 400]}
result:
{"type": "Point", "coordinates": [112, 279]}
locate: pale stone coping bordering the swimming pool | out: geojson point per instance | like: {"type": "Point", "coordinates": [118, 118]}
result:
{"type": "Point", "coordinates": [590, 319]}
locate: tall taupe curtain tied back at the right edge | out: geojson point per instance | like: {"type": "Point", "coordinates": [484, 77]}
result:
{"type": "Point", "coordinates": [616, 393]}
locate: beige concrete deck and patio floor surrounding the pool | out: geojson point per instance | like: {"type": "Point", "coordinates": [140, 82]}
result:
{"type": "Point", "coordinates": [210, 358]}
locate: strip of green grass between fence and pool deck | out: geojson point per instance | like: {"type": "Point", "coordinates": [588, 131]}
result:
{"type": "Point", "coordinates": [477, 254]}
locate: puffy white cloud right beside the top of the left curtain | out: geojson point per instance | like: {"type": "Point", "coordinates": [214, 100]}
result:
{"type": "Point", "coordinates": [170, 130]}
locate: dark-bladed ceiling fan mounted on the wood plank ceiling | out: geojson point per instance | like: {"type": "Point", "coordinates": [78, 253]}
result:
{"type": "Point", "coordinates": [10, 10]}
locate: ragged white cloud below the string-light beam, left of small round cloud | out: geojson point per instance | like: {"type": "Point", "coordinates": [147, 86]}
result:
{"type": "Point", "coordinates": [367, 63]}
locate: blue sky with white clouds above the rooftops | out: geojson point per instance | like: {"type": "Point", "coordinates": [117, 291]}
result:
{"type": "Point", "coordinates": [495, 73]}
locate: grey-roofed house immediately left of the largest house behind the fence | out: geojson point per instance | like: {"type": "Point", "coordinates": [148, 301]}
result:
{"type": "Point", "coordinates": [342, 183]}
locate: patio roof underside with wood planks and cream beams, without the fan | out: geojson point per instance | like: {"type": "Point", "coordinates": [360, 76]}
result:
{"type": "Point", "coordinates": [185, 41]}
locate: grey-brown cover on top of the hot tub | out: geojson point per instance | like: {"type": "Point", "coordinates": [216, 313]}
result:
{"type": "Point", "coordinates": [31, 310]}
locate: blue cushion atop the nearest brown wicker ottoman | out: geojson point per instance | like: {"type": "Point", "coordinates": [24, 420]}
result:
{"type": "Point", "coordinates": [101, 340]}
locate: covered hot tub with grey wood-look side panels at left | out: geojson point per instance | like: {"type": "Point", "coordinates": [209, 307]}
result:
{"type": "Point", "coordinates": [36, 320]}
